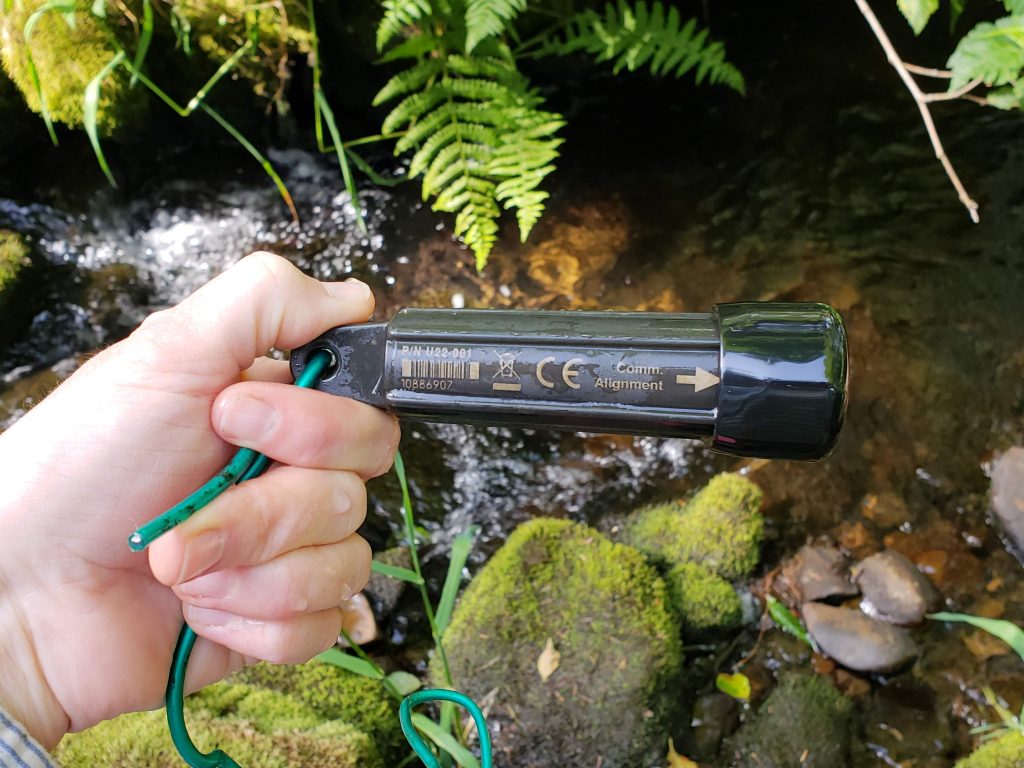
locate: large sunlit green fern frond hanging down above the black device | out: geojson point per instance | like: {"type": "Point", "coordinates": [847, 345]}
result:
{"type": "Point", "coordinates": [480, 142]}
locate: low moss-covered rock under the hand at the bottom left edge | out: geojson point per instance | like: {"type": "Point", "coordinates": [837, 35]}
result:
{"type": "Point", "coordinates": [257, 727]}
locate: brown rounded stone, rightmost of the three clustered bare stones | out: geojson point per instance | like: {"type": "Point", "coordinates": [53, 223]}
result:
{"type": "Point", "coordinates": [893, 588]}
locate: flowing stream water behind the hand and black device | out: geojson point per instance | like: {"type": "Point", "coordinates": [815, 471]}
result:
{"type": "Point", "coordinates": [821, 186]}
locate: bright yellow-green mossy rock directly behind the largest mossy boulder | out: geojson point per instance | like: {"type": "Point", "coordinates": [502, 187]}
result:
{"type": "Point", "coordinates": [720, 529]}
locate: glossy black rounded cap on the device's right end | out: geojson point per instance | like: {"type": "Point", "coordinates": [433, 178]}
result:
{"type": "Point", "coordinates": [784, 372]}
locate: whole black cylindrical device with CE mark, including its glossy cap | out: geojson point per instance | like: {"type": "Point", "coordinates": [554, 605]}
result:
{"type": "Point", "coordinates": [754, 379]}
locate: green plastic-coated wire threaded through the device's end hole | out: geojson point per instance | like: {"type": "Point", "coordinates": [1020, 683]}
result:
{"type": "Point", "coordinates": [245, 465]}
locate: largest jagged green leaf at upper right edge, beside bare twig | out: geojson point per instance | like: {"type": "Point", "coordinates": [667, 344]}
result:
{"type": "Point", "coordinates": [994, 53]}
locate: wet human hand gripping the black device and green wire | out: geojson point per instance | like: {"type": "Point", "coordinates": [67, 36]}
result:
{"type": "Point", "coordinates": [88, 627]}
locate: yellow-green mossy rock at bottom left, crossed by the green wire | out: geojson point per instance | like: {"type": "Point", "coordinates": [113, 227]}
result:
{"type": "Point", "coordinates": [259, 729]}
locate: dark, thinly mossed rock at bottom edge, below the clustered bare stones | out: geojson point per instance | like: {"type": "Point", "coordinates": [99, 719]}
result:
{"type": "Point", "coordinates": [804, 723]}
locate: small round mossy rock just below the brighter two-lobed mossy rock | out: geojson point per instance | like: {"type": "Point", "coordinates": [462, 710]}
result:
{"type": "Point", "coordinates": [705, 601]}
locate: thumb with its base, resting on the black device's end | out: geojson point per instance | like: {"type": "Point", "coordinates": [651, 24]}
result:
{"type": "Point", "coordinates": [262, 303]}
